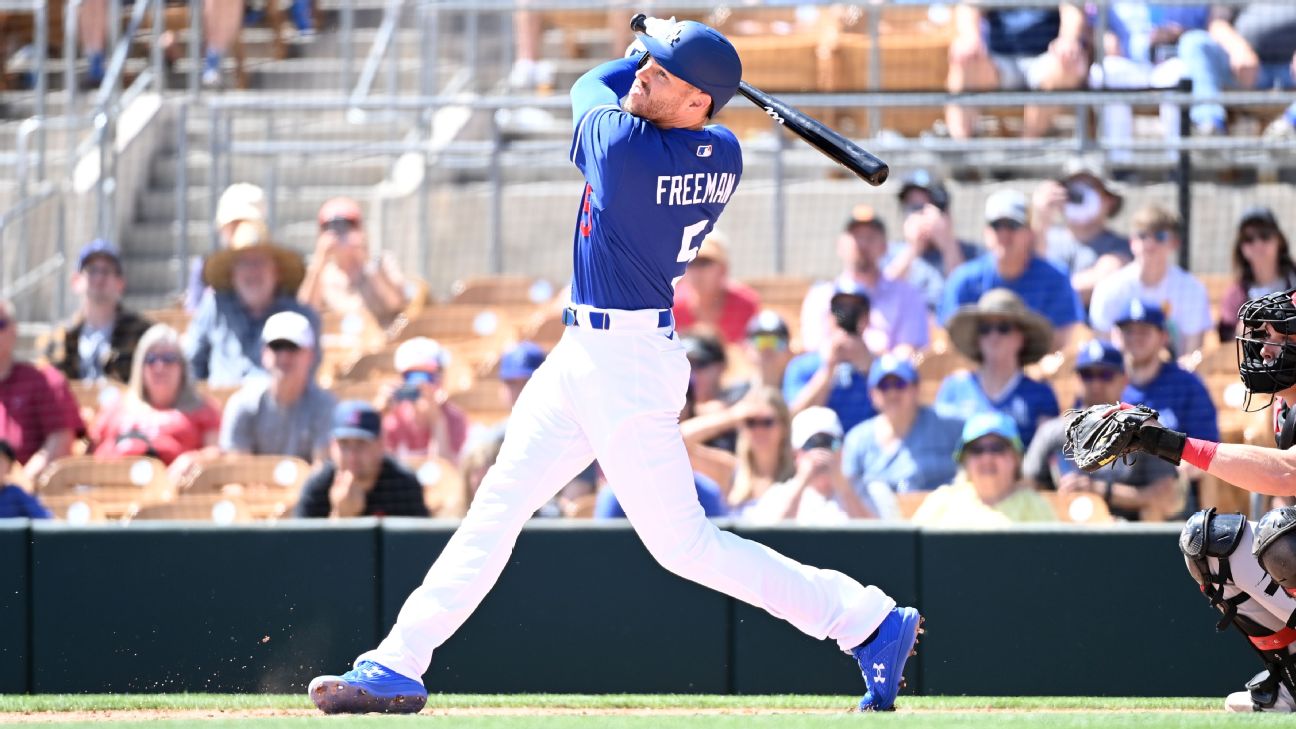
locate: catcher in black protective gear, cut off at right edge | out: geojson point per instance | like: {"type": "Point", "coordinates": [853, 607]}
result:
{"type": "Point", "coordinates": [1246, 570]}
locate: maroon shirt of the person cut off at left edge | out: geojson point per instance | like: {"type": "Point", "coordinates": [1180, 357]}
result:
{"type": "Point", "coordinates": [36, 403]}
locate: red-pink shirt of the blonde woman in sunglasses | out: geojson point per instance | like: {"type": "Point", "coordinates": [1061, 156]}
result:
{"type": "Point", "coordinates": [167, 433]}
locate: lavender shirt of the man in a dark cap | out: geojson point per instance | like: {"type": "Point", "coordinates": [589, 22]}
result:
{"type": "Point", "coordinates": [897, 316]}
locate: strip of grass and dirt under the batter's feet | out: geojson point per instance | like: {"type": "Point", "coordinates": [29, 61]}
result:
{"type": "Point", "coordinates": [602, 711]}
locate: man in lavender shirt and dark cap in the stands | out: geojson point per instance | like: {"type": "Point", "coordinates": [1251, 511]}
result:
{"type": "Point", "coordinates": [892, 324]}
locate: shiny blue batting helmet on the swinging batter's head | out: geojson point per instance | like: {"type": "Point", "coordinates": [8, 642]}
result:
{"type": "Point", "coordinates": [702, 56]}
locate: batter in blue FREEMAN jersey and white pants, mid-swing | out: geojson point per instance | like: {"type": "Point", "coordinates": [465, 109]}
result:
{"type": "Point", "coordinates": [658, 178]}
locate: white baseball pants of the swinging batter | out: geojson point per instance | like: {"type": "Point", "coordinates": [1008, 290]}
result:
{"type": "Point", "coordinates": [616, 395]}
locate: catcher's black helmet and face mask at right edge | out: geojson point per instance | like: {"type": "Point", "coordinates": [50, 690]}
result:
{"type": "Point", "coordinates": [1260, 376]}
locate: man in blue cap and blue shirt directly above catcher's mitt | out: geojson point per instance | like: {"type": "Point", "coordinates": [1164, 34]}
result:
{"type": "Point", "coordinates": [1177, 395]}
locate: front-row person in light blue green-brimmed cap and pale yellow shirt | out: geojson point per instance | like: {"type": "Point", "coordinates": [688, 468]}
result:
{"type": "Point", "coordinates": [988, 491]}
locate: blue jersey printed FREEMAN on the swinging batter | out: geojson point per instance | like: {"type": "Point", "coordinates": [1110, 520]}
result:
{"type": "Point", "coordinates": [651, 195]}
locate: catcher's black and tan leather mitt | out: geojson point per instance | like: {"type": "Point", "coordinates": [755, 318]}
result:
{"type": "Point", "coordinates": [1101, 434]}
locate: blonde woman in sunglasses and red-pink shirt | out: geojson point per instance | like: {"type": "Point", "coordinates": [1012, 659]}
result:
{"type": "Point", "coordinates": [161, 414]}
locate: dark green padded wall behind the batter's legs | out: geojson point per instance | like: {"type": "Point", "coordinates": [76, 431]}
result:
{"type": "Point", "coordinates": [583, 608]}
